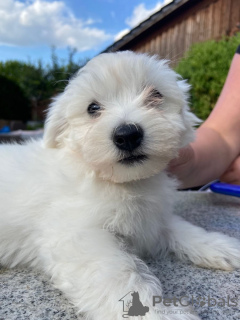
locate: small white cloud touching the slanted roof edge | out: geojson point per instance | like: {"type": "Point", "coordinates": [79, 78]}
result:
{"type": "Point", "coordinates": [140, 13]}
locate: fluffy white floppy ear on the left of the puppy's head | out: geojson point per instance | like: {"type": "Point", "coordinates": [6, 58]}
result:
{"type": "Point", "coordinates": [55, 125]}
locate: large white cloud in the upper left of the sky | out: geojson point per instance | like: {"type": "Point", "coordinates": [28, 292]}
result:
{"type": "Point", "coordinates": [39, 22]}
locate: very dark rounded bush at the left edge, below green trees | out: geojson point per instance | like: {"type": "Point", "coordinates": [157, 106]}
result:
{"type": "Point", "coordinates": [13, 102]}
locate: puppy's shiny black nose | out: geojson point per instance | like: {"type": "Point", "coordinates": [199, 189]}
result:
{"type": "Point", "coordinates": [128, 136]}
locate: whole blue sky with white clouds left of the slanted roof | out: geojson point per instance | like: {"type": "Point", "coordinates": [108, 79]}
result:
{"type": "Point", "coordinates": [29, 28]}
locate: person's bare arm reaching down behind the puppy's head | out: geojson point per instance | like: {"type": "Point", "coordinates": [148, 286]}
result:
{"type": "Point", "coordinates": [217, 142]}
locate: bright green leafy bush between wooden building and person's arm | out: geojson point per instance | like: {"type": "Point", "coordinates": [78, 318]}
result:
{"type": "Point", "coordinates": [205, 66]}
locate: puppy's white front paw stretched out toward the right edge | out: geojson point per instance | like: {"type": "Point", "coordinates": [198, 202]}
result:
{"type": "Point", "coordinates": [205, 249]}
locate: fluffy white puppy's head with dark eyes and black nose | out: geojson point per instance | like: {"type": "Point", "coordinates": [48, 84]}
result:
{"type": "Point", "coordinates": [124, 114]}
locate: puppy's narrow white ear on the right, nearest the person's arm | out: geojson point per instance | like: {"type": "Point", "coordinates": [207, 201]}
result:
{"type": "Point", "coordinates": [189, 119]}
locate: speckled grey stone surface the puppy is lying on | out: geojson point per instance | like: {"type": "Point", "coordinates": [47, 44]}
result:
{"type": "Point", "coordinates": [27, 295]}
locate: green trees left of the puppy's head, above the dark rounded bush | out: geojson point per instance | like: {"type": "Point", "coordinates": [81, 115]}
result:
{"type": "Point", "coordinates": [39, 83]}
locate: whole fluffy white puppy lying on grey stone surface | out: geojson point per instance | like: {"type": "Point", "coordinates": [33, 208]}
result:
{"type": "Point", "coordinates": [91, 198]}
